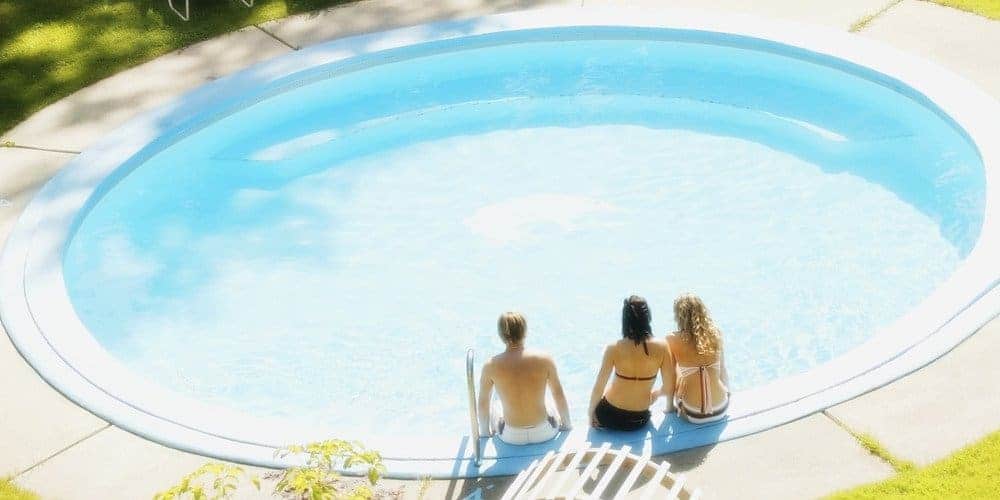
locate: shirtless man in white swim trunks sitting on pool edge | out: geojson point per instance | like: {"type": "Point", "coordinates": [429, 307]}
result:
{"type": "Point", "coordinates": [520, 377]}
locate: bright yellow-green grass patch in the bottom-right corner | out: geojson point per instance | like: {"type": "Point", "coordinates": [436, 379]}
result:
{"type": "Point", "coordinates": [972, 472]}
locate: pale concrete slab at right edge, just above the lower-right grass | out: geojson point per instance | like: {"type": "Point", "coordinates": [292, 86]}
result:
{"type": "Point", "coordinates": [935, 411]}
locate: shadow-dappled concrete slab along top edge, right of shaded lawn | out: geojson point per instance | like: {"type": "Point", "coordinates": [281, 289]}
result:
{"type": "Point", "coordinates": [379, 15]}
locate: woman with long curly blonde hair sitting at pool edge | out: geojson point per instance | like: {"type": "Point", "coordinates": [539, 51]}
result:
{"type": "Point", "coordinates": [701, 391]}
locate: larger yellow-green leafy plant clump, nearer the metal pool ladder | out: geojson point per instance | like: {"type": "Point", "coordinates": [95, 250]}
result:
{"type": "Point", "coordinates": [318, 479]}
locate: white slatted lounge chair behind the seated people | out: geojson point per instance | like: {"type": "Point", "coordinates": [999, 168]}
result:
{"type": "Point", "coordinates": [566, 474]}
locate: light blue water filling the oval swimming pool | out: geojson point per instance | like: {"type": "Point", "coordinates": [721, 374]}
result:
{"type": "Point", "coordinates": [327, 253]}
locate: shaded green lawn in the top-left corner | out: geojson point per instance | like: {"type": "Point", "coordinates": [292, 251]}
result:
{"type": "Point", "coordinates": [51, 48]}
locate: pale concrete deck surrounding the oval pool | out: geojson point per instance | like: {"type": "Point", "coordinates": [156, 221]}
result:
{"type": "Point", "coordinates": [62, 451]}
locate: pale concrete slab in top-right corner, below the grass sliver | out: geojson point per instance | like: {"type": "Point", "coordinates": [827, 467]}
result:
{"type": "Point", "coordinates": [960, 41]}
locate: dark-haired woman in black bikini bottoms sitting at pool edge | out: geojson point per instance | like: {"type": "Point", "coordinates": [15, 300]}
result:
{"type": "Point", "coordinates": [632, 364]}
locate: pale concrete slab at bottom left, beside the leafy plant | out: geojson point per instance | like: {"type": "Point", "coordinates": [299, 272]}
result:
{"type": "Point", "coordinates": [114, 465]}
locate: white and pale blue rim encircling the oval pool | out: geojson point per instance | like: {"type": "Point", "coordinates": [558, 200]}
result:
{"type": "Point", "coordinates": [37, 313]}
